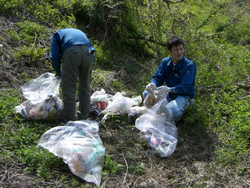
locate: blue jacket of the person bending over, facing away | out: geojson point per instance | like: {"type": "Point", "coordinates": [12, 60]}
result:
{"type": "Point", "coordinates": [61, 41]}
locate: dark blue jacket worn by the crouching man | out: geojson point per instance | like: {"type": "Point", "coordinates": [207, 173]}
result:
{"type": "Point", "coordinates": [181, 77]}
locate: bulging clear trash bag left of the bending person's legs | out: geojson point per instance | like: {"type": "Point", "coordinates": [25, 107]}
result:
{"type": "Point", "coordinates": [42, 96]}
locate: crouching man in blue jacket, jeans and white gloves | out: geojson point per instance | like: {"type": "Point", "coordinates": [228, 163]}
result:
{"type": "Point", "coordinates": [178, 73]}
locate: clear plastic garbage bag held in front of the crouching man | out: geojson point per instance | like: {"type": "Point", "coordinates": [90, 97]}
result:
{"type": "Point", "coordinates": [158, 128]}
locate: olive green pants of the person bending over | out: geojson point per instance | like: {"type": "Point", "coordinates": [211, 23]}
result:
{"type": "Point", "coordinates": [76, 63]}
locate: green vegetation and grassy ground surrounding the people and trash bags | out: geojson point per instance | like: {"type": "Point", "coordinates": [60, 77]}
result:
{"type": "Point", "coordinates": [130, 37]}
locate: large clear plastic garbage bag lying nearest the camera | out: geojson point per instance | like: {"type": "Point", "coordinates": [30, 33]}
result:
{"type": "Point", "coordinates": [79, 145]}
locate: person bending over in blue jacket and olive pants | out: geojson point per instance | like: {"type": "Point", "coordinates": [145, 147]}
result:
{"type": "Point", "coordinates": [72, 49]}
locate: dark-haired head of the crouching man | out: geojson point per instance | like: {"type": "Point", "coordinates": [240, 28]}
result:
{"type": "Point", "coordinates": [175, 47]}
